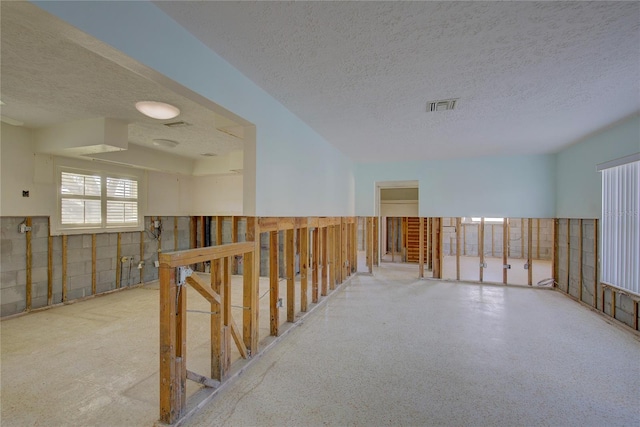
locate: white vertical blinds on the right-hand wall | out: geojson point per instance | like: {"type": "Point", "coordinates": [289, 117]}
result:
{"type": "Point", "coordinates": [621, 226]}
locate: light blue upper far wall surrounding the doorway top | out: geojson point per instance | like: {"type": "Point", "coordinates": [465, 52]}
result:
{"type": "Point", "coordinates": [518, 186]}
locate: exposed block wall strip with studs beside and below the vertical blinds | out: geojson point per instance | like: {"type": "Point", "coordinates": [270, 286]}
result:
{"type": "Point", "coordinates": [577, 274]}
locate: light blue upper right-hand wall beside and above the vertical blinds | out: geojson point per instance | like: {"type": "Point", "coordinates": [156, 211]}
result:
{"type": "Point", "coordinates": [579, 190]}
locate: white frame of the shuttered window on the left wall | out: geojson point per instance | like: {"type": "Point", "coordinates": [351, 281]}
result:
{"type": "Point", "coordinates": [103, 226]}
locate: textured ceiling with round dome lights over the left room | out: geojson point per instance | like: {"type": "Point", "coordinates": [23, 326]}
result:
{"type": "Point", "coordinates": [48, 79]}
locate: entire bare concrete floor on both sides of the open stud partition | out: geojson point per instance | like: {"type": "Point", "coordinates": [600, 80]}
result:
{"type": "Point", "coordinates": [384, 350]}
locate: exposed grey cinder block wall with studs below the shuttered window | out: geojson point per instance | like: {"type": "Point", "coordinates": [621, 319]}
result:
{"type": "Point", "coordinates": [78, 268]}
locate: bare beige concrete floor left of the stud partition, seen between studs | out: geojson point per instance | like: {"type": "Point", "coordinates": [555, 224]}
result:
{"type": "Point", "coordinates": [95, 362]}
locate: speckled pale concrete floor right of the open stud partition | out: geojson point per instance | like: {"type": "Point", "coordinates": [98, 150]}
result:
{"type": "Point", "coordinates": [403, 352]}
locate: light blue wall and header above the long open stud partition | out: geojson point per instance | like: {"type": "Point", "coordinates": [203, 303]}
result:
{"type": "Point", "coordinates": [298, 173]}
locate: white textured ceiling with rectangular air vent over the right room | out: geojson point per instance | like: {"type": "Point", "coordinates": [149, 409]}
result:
{"type": "Point", "coordinates": [531, 77]}
